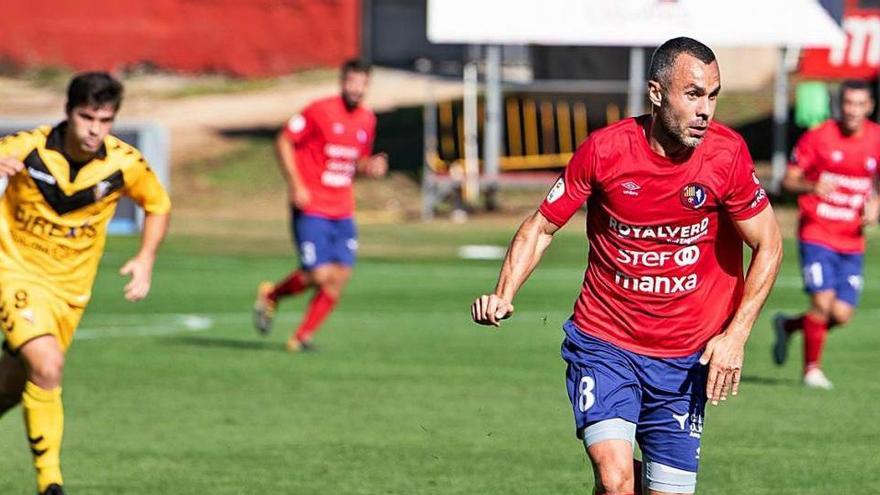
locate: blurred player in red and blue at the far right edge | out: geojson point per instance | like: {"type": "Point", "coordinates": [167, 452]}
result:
{"type": "Point", "coordinates": [834, 172]}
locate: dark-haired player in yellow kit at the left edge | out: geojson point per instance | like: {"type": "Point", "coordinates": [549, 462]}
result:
{"type": "Point", "coordinates": [63, 186]}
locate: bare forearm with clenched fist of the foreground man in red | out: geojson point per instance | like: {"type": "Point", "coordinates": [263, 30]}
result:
{"type": "Point", "coordinates": [525, 251]}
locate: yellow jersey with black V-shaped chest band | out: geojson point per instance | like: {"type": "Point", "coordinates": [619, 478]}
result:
{"type": "Point", "coordinates": [54, 214]}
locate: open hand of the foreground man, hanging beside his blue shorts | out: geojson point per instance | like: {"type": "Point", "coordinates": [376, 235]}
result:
{"type": "Point", "coordinates": [724, 356]}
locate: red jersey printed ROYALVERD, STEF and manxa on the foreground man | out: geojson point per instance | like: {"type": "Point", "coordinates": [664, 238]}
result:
{"type": "Point", "coordinates": [665, 268]}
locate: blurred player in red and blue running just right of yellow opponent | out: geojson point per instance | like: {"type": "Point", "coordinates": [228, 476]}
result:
{"type": "Point", "coordinates": [320, 151]}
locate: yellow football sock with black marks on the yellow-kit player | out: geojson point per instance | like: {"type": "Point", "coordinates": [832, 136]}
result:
{"type": "Point", "coordinates": [44, 422]}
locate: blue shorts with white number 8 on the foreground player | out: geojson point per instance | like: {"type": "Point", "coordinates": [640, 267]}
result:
{"type": "Point", "coordinates": [658, 402]}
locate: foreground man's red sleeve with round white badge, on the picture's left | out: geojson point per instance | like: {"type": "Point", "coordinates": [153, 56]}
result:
{"type": "Point", "coordinates": [573, 187]}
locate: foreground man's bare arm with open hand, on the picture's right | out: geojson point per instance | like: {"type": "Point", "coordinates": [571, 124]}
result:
{"type": "Point", "coordinates": [724, 352]}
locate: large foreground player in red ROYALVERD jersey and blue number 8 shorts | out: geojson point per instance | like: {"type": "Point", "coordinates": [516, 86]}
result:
{"type": "Point", "coordinates": [664, 312]}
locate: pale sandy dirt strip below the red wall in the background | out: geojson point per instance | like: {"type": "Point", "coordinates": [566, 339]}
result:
{"type": "Point", "coordinates": [195, 122]}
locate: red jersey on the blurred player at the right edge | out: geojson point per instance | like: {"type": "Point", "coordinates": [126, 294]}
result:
{"type": "Point", "coordinates": [850, 162]}
